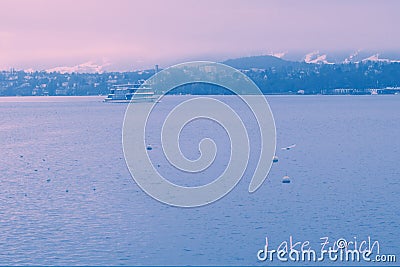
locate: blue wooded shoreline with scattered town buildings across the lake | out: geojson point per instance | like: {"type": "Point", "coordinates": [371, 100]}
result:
{"type": "Point", "coordinates": [273, 76]}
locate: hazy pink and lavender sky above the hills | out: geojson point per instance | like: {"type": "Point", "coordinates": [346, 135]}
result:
{"type": "Point", "coordinates": [48, 33]}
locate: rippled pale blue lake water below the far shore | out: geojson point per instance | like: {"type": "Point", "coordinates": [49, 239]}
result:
{"type": "Point", "coordinates": [67, 196]}
